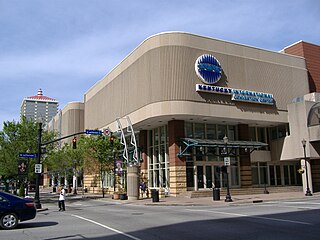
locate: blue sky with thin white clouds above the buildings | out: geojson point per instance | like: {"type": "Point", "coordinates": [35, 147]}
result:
{"type": "Point", "coordinates": [64, 47]}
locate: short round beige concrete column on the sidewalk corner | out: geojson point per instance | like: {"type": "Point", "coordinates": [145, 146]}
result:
{"type": "Point", "coordinates": [133, 182]}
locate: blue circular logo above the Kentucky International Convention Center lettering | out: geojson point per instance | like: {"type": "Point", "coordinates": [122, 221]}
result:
{"type": "Point", "coordinates": [208, 69]}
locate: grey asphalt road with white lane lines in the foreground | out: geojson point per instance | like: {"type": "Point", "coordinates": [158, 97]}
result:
{"type": "Point", "coordinates": [102, 219]}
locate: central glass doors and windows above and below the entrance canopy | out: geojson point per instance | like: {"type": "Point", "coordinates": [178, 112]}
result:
{"type": "Point", "coordinates": [204, 163]}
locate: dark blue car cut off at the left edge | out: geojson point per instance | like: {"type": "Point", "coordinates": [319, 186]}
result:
{"type": "Point", "coordinates": [14, 209]}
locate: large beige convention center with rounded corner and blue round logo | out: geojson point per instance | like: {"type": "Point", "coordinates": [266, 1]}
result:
{"type": "Point", "coordinates": [208, 113]}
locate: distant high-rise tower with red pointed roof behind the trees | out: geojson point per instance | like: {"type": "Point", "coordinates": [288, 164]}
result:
{"type": "Point", "coordinates": [39, 108]}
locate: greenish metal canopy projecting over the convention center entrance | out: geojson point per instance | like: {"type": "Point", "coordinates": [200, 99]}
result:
{"type": "Point", "coordinates": [187, 143]}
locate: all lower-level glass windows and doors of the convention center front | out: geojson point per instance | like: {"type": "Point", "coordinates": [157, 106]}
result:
{"type": "Point", "coordinates": [203, 164]}
